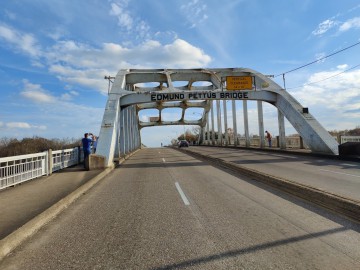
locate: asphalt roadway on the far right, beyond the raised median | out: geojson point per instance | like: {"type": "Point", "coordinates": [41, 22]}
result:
{"type": "Point", "coordinates": [335, 176]}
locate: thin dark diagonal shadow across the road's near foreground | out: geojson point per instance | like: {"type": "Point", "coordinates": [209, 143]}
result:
{"type": "Point", "coordinates": [247, 250]}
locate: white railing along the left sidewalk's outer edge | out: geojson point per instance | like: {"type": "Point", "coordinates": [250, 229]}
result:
{"type": "Point", "coordinates": [18, 169]}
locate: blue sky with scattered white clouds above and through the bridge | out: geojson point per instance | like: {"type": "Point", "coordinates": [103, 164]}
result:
{"type": "Point", "coordinates": [54, 56]}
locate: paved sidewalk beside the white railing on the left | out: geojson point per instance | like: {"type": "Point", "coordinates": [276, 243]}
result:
{"type": "Point", "coordinates": [25, 201]}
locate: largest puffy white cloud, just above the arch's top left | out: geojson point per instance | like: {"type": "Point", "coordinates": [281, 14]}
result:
{"type": "Point", "coordinates": [80, 64]}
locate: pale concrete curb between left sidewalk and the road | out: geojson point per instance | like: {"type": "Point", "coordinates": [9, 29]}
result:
{"type": "Point", "coordinates": [13, 240]}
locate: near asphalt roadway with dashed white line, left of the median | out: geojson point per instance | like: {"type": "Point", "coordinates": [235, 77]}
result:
{"type": "Point", "coordinates": [166, 210]}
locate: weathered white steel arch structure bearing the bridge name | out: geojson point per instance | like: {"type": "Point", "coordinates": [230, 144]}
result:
{"type": "Point", "coordinates": [134, 90]}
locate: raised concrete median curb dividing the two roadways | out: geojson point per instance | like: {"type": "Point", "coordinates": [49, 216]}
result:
{"type": "Point", "coordinates": [338, 204]}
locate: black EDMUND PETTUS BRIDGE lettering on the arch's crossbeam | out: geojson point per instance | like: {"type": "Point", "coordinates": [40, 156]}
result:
{"type": "Point", "coordinates": [201, 95]}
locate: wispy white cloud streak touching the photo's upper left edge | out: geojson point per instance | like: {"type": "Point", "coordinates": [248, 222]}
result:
{"type": "Point", "coordinates": [22, 41]}
